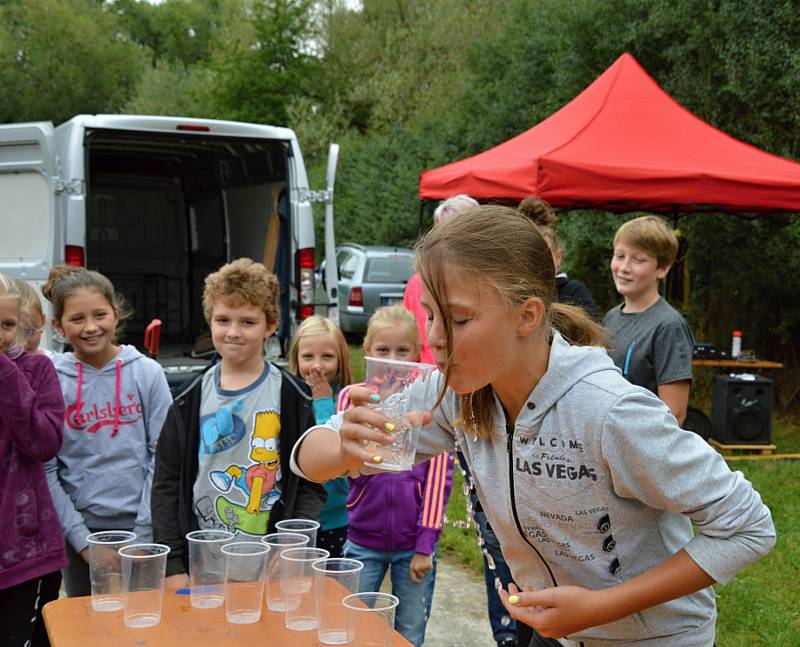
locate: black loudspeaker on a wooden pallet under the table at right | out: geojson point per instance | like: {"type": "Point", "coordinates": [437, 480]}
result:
{"type": "Point", "coordinates": [741, 410]}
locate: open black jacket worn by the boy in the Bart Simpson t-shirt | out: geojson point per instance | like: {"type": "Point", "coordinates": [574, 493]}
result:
{"type": "Point", "coordinates": [177, 464]}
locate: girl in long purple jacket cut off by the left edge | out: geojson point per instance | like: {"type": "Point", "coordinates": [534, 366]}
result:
{"type": "Point", "coordinates": [31, 419]}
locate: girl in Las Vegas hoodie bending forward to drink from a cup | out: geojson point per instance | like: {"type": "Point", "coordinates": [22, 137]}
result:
{"type": "Point", "coordinates": [590, 485]}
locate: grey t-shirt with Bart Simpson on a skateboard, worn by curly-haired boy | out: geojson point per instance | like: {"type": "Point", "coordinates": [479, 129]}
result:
{"type": "Point", "coordinates": [238, 478]}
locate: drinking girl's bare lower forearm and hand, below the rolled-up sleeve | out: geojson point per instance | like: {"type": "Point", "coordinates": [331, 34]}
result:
{"type": "Point", "coordinates": [564, 610]}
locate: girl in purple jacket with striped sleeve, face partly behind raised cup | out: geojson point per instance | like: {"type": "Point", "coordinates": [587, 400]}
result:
{"type": "Point", "coordinates": [394, 519]}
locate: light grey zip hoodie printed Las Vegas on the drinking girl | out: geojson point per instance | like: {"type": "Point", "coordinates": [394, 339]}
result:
{"type": "Point", "coordinates": [595, 484]}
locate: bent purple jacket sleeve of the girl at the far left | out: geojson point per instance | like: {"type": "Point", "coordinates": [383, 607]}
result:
{"type": "Point", "coordinates": [32, 414]}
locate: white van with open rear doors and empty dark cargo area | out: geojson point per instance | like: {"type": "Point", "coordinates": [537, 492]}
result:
{"type": "Point", "coordinates": [155, 204]}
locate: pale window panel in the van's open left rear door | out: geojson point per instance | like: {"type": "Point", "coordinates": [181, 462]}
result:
{"type": "Point", "coordinates": [26, 216]}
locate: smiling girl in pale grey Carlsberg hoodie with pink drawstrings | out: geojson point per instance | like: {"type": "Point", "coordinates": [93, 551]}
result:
{"type": "Point", "coordinates": [116, 402]}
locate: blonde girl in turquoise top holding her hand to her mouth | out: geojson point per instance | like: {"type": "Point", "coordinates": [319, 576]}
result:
{"type": "Point", "coordinates": [319, 354]}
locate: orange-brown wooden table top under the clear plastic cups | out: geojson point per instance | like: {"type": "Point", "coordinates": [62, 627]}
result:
{"type": "Point", "coordinates": [71, 622]}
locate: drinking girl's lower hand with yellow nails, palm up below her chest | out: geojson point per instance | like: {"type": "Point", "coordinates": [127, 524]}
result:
{"type": "Point", "coordinates": [556, 612]}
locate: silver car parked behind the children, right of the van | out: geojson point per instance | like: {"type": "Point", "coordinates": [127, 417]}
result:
{"type": "Point", "coordinates": [370, 277]}
